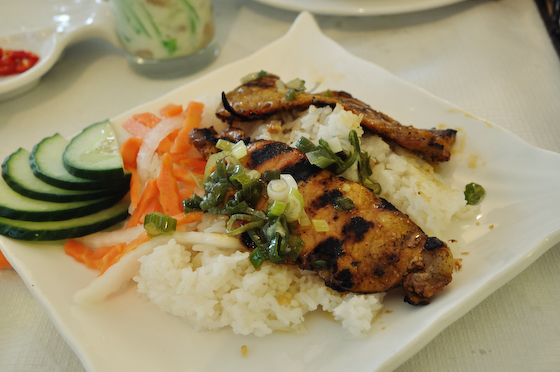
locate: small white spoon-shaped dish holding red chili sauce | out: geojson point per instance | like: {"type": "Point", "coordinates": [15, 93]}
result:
{"type": "Point", "coordinates": [67, 27]}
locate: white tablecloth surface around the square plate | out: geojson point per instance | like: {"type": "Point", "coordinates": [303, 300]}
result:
{"type": "Point", "coordinates": [493, 58]}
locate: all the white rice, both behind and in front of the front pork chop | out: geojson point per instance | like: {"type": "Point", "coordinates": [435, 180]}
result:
{"type": "Point", "coordinates": [212, 288]}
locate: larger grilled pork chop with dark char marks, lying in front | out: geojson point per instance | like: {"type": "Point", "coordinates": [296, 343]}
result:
{"type": "Point", "coordinates": [371, 248]}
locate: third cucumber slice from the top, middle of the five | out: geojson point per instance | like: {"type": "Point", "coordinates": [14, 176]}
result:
{"type": "Point", "coordinates": [18, 175]}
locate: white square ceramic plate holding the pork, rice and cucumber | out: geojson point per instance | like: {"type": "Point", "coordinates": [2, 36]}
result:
{"type": "Point", "coordinates": [127, 333]}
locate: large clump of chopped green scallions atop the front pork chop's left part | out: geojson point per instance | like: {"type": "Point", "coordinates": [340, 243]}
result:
{"type": "Point", "coordinates": [269, 233]}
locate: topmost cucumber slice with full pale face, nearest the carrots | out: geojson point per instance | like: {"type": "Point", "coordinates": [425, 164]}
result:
{"type": "Point", "coordinates": [94, 153]}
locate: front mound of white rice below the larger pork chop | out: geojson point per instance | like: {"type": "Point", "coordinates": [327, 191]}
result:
{"type": "Point", "coordinates": [212, 288]}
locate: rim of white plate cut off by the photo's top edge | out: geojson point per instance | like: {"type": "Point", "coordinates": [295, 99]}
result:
{"type": "Point", "coordinates": [358, 7]}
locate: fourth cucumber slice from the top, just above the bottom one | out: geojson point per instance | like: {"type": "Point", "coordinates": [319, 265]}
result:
{"type": "Point", "coordinates": [19, 207]}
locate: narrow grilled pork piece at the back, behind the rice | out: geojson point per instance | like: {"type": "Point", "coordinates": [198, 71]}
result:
{"type": "Point", "coordinates": [260, 98]}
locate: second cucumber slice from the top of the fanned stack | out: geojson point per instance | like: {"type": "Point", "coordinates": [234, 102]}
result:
{"type": "Point", "coordinates": [46, 162]}
